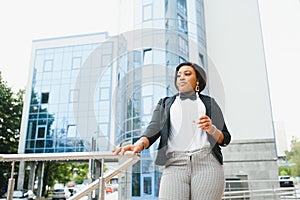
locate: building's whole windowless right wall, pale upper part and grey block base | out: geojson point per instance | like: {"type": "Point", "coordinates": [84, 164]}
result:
{"type": "Point", "coordinates": [238, 80]}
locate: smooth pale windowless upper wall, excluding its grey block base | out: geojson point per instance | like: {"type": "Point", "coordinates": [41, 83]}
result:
{"type": "Point", "coordinates": [237, 70]}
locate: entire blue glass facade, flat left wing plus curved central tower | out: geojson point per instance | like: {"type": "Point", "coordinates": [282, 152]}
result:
{"type": "Point", "coordinates": [107, 91]}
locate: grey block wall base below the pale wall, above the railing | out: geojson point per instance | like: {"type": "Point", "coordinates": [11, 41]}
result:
{"type": "Point", "coordinates": [252, 157]}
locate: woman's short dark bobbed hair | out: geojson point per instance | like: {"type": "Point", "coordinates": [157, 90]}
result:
{"type": "Point", "coordinates": [200, 74]}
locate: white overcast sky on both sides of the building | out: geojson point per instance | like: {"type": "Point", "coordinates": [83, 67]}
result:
{"type": "Point", "coordinates": [23, 21]}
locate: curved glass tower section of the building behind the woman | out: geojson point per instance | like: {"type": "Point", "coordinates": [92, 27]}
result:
{"type": "Point", "coordinates": [147, 74]}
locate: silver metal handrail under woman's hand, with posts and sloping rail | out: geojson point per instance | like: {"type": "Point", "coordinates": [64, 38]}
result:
{"type": "Point", "coordinates": [104, 155]}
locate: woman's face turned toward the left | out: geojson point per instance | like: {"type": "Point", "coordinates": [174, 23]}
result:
{"type": "Point", "coordinates": [186, 79]}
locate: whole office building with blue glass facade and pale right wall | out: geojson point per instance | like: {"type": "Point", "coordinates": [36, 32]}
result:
{"type": "Point", "coordinates": [105, 87]}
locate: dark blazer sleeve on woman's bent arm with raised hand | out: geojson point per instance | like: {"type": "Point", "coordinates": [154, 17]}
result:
{"type": "Point", "coordinates": [218, 120]}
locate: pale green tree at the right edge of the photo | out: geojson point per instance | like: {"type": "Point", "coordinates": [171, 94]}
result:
{"type": "Point", "coordinates": [293, 156]}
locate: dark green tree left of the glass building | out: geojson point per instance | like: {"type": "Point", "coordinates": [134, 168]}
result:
{"type": "Point", "coordinates": [11, 105]}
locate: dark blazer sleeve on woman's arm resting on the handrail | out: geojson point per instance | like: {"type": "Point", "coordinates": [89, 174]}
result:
{"type": "Point", "coordinates": [153, 130]}
